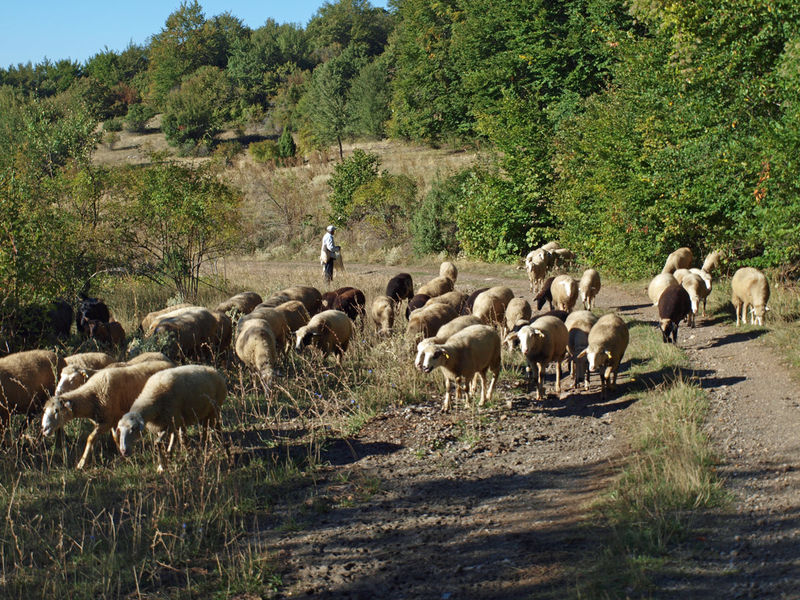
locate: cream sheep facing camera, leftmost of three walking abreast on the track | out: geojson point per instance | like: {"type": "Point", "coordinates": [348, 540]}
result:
{"type": "Point", "coordinates": [542, 342]}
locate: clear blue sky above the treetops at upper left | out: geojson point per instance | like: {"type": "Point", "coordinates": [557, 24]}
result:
{"type": "Point", "coordinates": [33, 30]}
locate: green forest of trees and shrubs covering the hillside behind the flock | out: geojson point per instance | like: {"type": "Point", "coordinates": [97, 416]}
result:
{"type": "Point", "coordinates": [622, 128]}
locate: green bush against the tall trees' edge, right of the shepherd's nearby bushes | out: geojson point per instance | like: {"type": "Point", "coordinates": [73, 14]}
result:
{"type": "Point", "coordinates": [433, 225]}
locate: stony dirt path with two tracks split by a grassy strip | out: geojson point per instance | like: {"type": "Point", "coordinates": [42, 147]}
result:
{"type": "Point", "coordinates": [429, 506]}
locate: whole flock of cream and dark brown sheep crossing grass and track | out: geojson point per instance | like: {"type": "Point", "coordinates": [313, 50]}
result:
{"type": "Point", "coordinates": [458, 333]}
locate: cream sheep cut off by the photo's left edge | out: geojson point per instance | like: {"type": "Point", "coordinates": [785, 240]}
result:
{"type": "Point", "coordinates": [26, 380]}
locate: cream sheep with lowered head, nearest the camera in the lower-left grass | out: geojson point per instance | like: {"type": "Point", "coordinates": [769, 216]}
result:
{"type": "Point", "coordinates": [170, 401]}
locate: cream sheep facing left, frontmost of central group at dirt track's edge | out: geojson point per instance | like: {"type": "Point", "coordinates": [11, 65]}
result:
{"type": "Point", "coordinates": [470, 352]}
